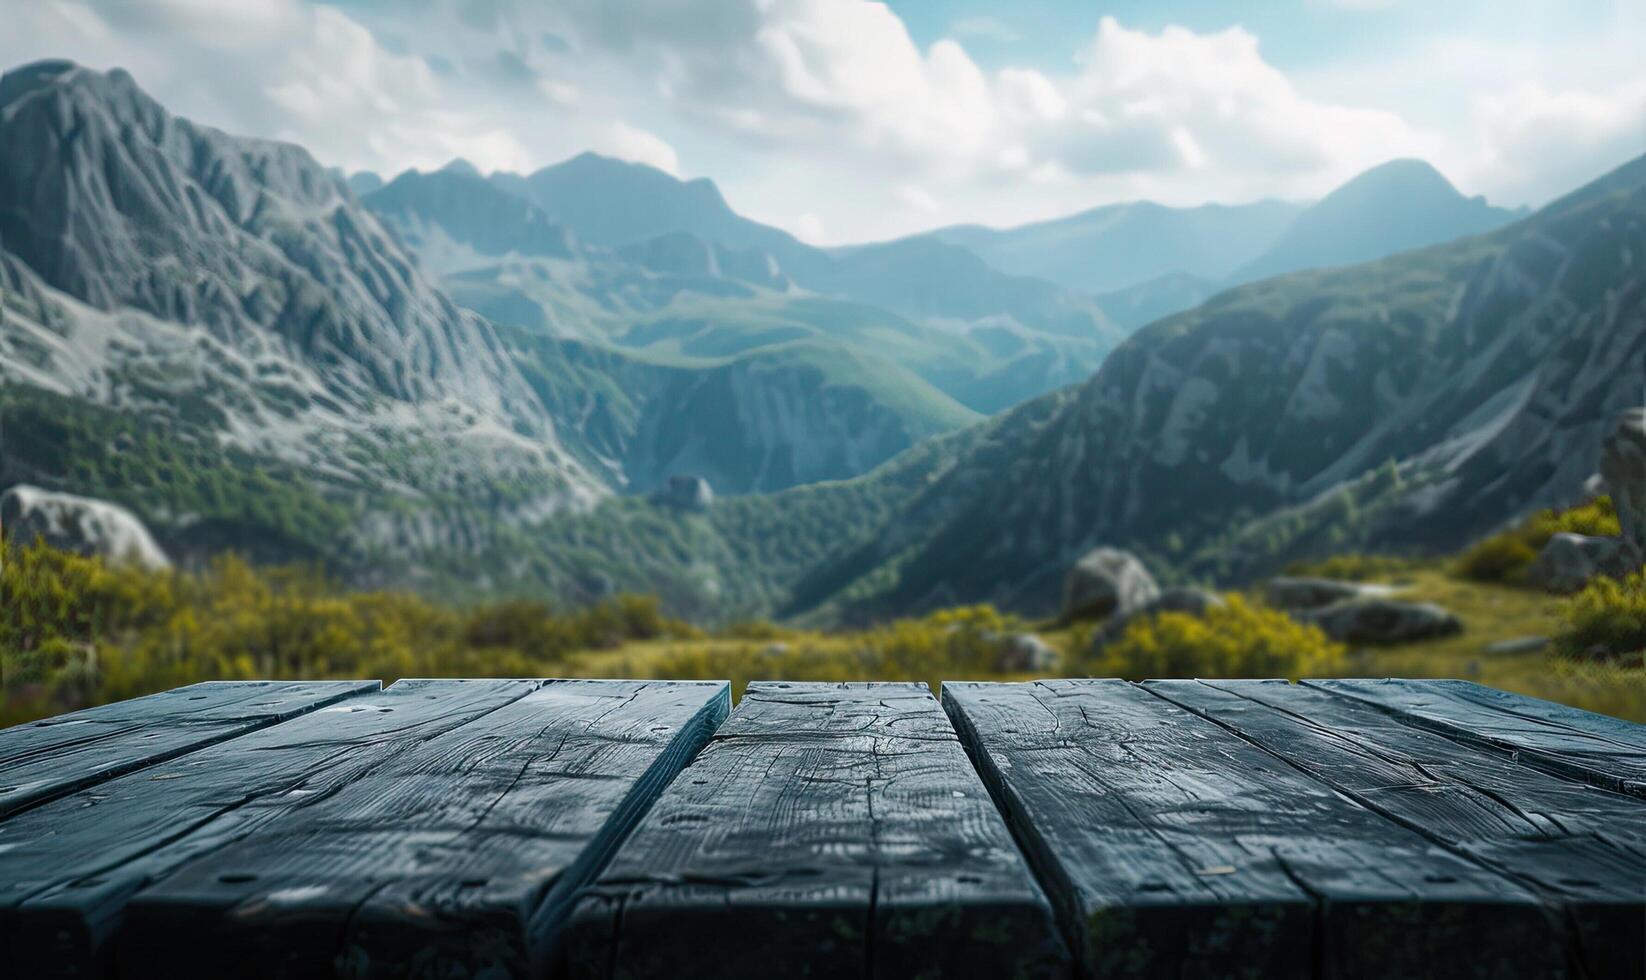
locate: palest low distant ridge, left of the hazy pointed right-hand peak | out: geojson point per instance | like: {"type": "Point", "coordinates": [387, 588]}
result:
{"type": "Point", "coordinates": [1122, 246]}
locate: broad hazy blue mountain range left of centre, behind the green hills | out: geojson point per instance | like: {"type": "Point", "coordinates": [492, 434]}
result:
{"type": "Point", "coordinates": [537, 253]}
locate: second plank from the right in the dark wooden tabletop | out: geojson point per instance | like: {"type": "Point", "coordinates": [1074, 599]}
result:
{"type": "Point", "coordinates": [1581, 847]}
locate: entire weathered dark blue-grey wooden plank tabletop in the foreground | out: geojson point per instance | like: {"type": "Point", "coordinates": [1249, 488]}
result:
{"type": "Point", "coordinates": [615, 829]}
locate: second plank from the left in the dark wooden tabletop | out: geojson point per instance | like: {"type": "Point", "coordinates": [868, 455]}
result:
{"type": "Point", "coordinates": [70, 867]}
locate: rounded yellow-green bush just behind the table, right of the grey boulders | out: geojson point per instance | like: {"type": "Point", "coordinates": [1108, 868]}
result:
{"type": "Point", "coordinates": [1239, 640]}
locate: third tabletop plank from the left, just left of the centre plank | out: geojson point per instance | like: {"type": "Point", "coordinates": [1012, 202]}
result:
{"type": "Point", "coordinates": [455, 859]}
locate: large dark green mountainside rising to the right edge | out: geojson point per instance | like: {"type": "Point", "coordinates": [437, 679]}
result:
{"type": "Point", "coordinates": [1405, 404]}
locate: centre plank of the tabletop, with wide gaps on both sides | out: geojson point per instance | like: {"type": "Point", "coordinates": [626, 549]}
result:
{"type": "Point", "coordinates": [827, 831]}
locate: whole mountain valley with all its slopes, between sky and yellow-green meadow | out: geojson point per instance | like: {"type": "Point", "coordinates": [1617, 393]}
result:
{"type": "Point", "coordinates": [485, 385]}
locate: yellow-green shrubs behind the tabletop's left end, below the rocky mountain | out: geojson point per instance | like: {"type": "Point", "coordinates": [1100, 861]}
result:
{"type": "Point", "coordinates": [77, 632]}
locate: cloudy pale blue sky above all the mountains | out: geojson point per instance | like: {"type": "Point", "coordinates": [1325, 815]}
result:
{"type": "Point", "coordinates": [845, 121]}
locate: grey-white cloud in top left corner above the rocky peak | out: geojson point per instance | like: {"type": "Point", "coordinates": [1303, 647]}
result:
{"type": "Point", "coordinates": [271, 68]}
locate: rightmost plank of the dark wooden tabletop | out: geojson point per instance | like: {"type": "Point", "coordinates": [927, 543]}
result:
{"type": "Point", "coordinates": [1596, 749]}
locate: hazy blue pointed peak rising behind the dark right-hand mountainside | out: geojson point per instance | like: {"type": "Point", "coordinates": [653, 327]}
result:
{"type": "Point", "coordinates": [1392, 208]}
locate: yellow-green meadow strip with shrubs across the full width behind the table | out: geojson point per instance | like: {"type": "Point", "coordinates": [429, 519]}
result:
{"type": "Point", "coordinates": [77, 632]}
